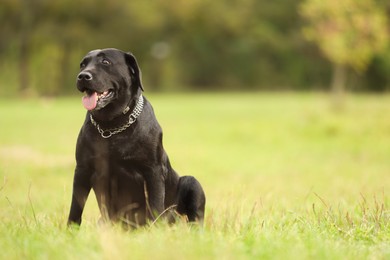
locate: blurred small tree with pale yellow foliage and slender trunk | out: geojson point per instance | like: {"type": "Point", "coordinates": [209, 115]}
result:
{"type": "Point", "coordinates": [348, 32]}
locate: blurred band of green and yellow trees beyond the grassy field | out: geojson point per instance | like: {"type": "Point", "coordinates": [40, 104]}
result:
{"type": "Point", "coordinates": [185, 45]}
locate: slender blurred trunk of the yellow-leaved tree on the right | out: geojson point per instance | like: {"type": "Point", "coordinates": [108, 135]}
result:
{"type": "Point", "coordinates": [338, 85]}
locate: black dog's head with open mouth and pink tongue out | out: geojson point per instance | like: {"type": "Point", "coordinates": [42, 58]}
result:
{"type": "Point", "coordinates": [110, 78]}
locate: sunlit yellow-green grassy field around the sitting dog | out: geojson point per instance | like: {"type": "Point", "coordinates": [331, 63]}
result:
{"type": "Point", "coordinates": [286, 177]}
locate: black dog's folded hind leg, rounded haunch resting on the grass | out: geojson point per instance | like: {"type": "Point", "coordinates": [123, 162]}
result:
{"type": "Point", "coordinates": [190, 199]}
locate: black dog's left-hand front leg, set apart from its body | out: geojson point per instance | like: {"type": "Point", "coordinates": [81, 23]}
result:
{"type": "Point", "coordinates": [81, 189]}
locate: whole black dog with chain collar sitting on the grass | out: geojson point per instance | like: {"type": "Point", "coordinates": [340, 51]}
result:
{"type": "Point", "coordinates": [119, 150]}
